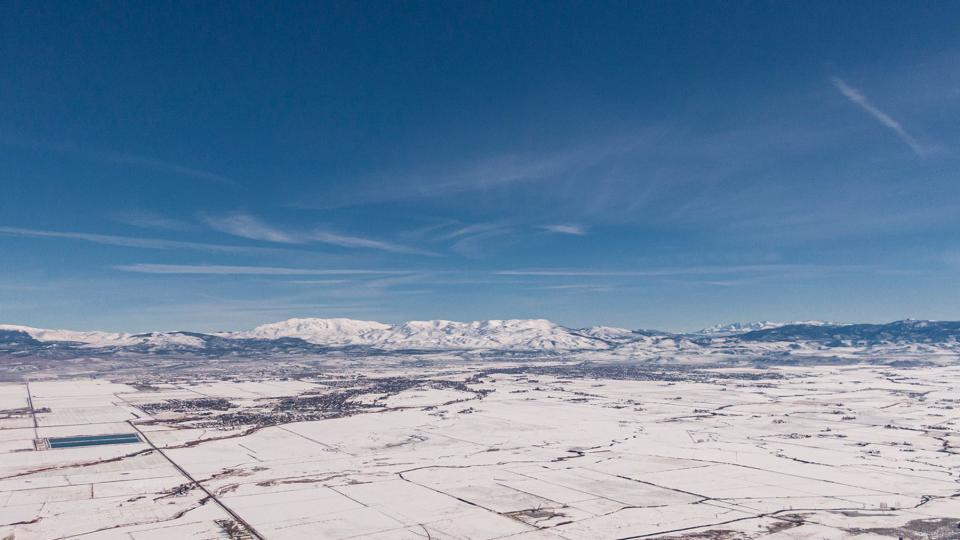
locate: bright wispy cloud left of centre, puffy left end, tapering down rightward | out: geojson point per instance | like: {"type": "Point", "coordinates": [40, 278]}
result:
{"type": "Point", "coordinates": [251, 227]}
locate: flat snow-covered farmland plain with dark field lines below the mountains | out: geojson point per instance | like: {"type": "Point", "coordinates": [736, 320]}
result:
{"type": "Point", "coordinates": [483, 450]}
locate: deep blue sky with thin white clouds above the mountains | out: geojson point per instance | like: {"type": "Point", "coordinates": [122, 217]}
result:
{"type": "Point", "coordinates": [642, 164]}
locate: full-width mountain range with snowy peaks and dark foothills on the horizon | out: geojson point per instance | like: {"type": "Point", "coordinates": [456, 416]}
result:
{"type": "Point", "coordinates": [528, 336]}
